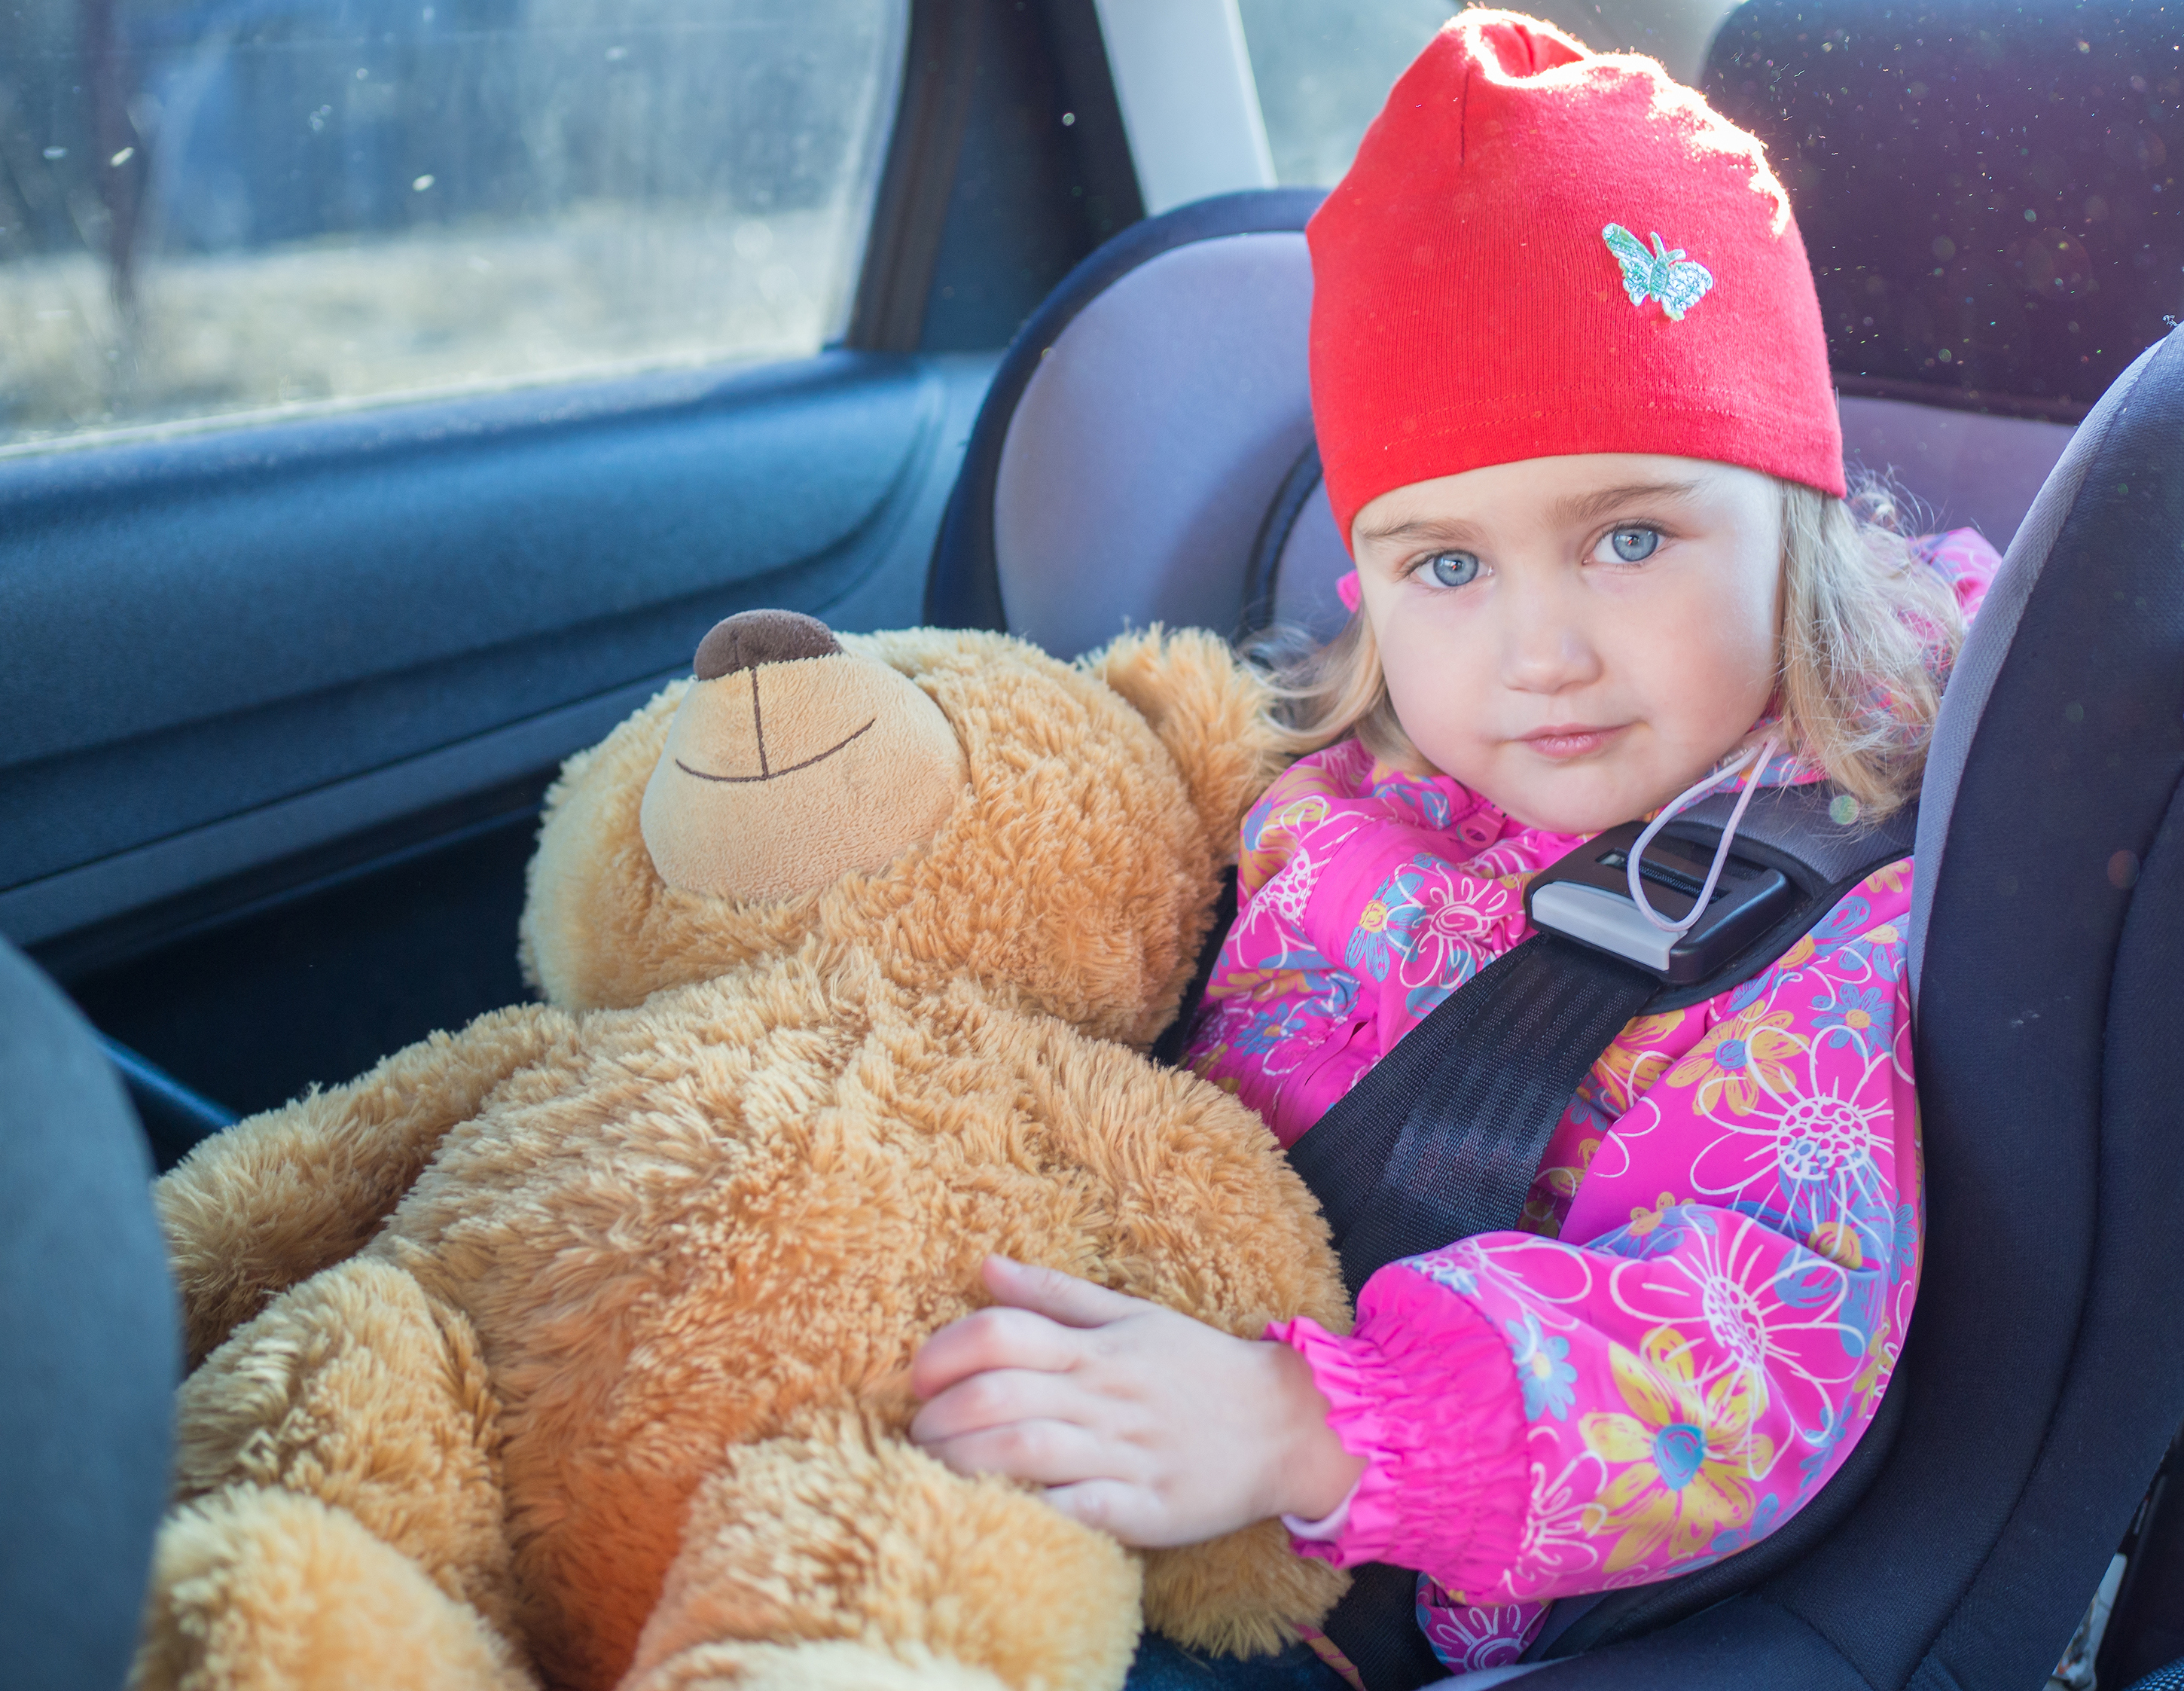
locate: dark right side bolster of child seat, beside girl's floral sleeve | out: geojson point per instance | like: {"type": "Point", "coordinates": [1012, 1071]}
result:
{"type": "Point", "coordinates": [2045, 1367]}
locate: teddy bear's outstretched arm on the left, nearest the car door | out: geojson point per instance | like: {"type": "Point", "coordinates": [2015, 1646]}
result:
{"type": "Point", "coordinates": [285, 1194]}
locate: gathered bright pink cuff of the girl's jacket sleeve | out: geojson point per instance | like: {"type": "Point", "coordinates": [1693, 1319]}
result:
{"type": "Point", "coordinates": [1427, 1395]}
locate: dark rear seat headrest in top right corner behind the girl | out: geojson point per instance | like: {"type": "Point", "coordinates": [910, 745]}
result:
{"type": "Point", "coordinates": [1997, 182]}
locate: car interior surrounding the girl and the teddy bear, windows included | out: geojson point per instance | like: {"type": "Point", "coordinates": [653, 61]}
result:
{"type": "Point", "coordinates": [1008, 309]}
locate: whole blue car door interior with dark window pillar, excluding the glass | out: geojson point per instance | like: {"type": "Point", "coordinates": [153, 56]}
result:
{"type": "Point", "coordinates": [283, 694]}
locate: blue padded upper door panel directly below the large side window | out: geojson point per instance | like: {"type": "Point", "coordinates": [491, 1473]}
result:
{"type": "Point", "coordinates": [316, 650]}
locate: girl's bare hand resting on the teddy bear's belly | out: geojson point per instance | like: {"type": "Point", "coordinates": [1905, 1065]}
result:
{"type": "Point", "coordinates": [1139, 1421]}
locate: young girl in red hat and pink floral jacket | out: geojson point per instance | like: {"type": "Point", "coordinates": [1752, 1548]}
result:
{"type": "Point", "coordinates": [1574, 403]}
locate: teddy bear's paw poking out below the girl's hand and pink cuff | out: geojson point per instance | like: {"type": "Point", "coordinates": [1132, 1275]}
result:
{"type": "Point", "coordinates": [1239, 1596]}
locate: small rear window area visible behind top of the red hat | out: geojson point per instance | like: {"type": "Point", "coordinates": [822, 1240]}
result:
{"type": "Point", "coordinates": [1325, 67]}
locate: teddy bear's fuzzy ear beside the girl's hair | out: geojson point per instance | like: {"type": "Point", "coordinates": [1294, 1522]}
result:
{"type": "Point", "coordinates": [1209, 709]}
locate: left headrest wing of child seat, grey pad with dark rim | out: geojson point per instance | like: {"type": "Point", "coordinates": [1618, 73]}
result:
{"type": "Point", "coordinates": [1137, 431]}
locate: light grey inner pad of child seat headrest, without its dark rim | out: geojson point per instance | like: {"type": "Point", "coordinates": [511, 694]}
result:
{"type": "Point", "coordinates": [1148, 447]}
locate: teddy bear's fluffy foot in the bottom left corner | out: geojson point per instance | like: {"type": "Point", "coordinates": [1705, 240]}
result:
{"type": "Point", "coordinates": [270, 1592]}
